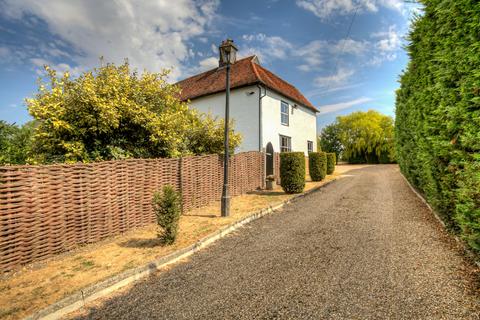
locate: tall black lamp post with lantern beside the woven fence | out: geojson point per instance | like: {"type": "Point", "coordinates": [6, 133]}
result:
{"type": "Point", "coordinates": [228, 55]}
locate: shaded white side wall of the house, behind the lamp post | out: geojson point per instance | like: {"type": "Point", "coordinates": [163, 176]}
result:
{"type": "Point", "coordinates": [243, 109]}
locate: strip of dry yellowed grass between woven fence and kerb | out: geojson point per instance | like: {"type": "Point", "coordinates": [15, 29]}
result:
{"type": "Point", "coordinates": [34, 287]}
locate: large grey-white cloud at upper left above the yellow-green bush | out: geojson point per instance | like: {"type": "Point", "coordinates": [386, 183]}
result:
{"type": "Point", "coordinates": [151, 34]}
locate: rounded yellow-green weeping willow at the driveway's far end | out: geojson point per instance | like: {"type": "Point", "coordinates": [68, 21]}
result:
{"type": "Point", "coordinates": [365, 137]}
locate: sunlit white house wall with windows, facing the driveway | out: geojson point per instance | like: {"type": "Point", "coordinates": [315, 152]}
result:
{"type": "Point", "coordinates": [302, 123]}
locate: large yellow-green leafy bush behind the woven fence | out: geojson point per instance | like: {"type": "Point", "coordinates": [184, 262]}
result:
{"type": "Point", "coordinates": [113, 112]}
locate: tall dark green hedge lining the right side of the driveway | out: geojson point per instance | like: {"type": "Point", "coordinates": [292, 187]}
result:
{"type": "Point", "coordinates": [437, 126]}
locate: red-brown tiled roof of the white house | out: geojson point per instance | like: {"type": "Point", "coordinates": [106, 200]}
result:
{"type": "Point", "coordinates": [243, 73]}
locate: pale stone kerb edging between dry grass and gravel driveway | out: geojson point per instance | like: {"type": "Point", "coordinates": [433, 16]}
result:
{"type": "Point", "coordinates": [103, 288]}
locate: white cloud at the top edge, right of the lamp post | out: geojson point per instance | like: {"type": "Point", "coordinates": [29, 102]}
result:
{"type": "Point", "coordinates": [326, 8]}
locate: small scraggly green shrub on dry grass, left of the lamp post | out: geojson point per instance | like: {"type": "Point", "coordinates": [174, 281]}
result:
{"type": "Point", "coordinates": [167, 208]}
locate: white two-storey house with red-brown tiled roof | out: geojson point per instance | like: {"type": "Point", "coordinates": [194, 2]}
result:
{"type": "Point", "coordinates": [265, 108]}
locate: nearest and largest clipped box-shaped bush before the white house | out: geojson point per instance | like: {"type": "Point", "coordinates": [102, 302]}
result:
{"type": "Point", "coordinates": [292, 171]}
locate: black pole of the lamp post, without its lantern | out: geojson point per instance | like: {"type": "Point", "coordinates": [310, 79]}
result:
{"type": "Point", "coordinates": [225, 195]}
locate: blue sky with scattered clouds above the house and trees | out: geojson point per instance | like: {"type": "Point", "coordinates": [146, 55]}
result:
{"type": "Point", "coordinates": [305, 42]}
